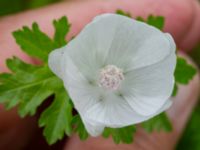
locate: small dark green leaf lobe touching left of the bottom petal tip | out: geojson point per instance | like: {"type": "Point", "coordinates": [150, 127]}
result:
{"type": "Point", "coordinates": [79, 127]}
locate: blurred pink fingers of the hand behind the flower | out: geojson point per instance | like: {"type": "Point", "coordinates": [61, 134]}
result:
{"type": "Point", "coordinates": [182, 21]}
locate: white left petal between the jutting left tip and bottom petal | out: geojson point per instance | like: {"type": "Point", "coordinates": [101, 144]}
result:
{"type": "Point", "coordinates": [83, 93]}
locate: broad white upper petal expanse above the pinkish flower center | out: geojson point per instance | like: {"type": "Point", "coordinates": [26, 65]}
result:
{"type": "Point", "coordinates": [110, 37]}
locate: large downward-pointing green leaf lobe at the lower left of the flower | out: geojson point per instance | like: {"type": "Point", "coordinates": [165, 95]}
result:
{"type": "Point", "coordinates": [57, 118]}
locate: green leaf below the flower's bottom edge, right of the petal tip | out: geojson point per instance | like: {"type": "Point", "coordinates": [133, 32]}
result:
{"type": "Point", "coordinates": [120, 135]}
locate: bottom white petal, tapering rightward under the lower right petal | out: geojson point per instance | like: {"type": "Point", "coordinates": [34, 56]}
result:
{"type": "Point", "coordinates": [117, 116]}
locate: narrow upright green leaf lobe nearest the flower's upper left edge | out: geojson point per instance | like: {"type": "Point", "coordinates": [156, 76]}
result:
{"type": "Point", "coordinates": [62, 28]}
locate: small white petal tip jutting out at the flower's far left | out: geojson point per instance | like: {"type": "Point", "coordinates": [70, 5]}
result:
{"type": "Point", "coordinates": [54, 61]}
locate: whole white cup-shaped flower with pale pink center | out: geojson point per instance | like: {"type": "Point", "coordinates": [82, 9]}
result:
{"type": "Point", "coordinates": [118, 72]}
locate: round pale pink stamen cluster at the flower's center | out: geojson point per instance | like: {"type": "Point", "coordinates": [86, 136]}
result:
{"type": "Point", "coordinates": [110, 77]}
